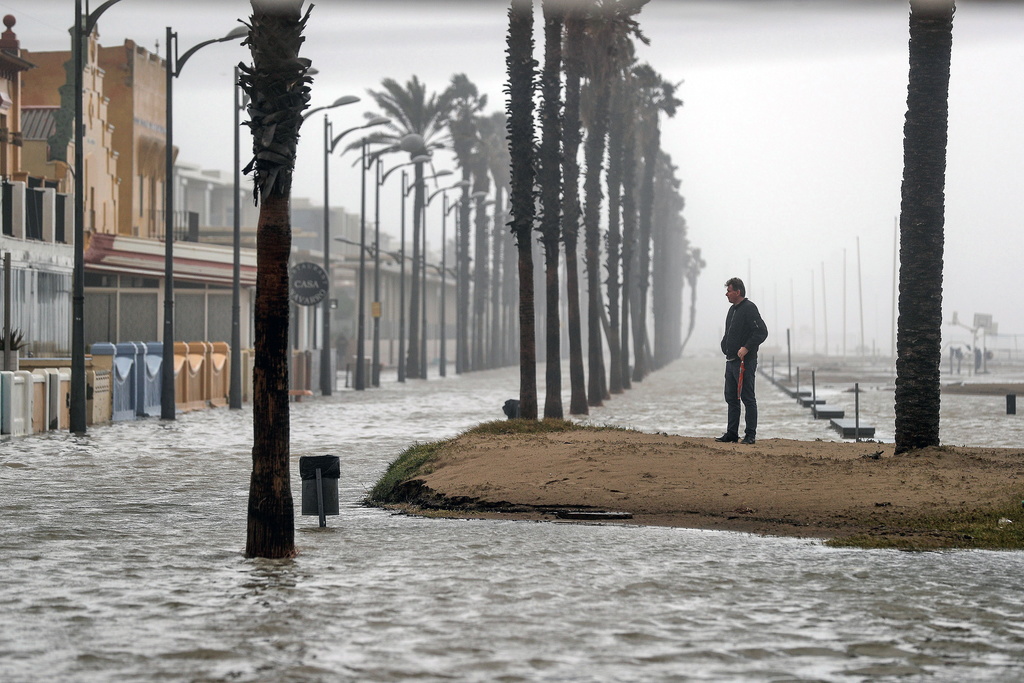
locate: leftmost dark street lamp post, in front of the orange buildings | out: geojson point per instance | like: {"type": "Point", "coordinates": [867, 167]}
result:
{"type": "Point", "coordinates": [82, 29]}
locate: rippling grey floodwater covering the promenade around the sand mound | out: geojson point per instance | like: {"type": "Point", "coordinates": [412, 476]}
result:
{"type": "Point", "coordinates": [121, 561]}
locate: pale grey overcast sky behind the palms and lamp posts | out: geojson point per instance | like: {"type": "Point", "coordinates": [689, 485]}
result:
{"type": "Point", "coordinates": [789, 143]}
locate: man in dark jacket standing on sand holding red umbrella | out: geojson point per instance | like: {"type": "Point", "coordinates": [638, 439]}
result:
{"type": "Point", "coordinates": [745, 331]}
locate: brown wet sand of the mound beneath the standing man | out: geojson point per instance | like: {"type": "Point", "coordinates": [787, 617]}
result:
{"type": "Point", "coordinates": [776, 487]}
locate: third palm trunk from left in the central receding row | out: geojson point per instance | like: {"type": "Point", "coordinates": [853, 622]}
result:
{"type": "Point", "coordinates": [576, 20]}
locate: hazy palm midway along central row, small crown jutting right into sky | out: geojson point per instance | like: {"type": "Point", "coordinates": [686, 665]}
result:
{"type": "Point", "coordinates": [658, 97]}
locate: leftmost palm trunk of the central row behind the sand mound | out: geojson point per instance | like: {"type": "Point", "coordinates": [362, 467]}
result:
{"type": "Point", "coordinates": [522, 68]}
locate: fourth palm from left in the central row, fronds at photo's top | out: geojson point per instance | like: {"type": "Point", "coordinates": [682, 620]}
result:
{"type": "Point", "coordinates": [610, 29]}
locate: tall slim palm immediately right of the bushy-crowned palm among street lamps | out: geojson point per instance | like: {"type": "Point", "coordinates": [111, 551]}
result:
{"type": "Point", "coordinates": [467, 104]}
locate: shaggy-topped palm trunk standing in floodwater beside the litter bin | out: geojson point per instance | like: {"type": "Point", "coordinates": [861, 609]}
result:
{"type": "Point", "coordinates": [278, 87]}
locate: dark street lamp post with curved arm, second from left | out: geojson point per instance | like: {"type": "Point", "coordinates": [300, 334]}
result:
{"type": "Point", "coordinates": [175, 65]}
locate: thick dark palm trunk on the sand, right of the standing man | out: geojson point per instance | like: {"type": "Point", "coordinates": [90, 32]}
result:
{"type": "Point", "coordinates": [922, 219]}
